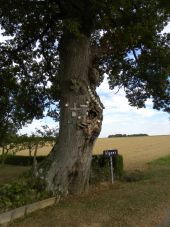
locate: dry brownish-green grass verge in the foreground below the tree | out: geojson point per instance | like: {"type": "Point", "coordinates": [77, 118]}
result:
{"type": "Point", "coordinates": [141, 201]}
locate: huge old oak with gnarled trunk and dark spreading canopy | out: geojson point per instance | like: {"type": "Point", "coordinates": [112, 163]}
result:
{"type": "Point", "coordinates": [59, 51]}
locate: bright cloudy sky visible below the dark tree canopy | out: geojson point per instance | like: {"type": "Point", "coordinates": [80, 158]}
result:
{"type": "Point", "coordinates": [119, 117]}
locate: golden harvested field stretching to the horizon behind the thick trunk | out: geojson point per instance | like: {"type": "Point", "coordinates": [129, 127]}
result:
{"type": "Point", "coordinates": [136, 151]}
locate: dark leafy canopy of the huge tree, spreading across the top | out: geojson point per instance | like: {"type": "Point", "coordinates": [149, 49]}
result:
{"type": "Point", "coordinates": [125, 37]}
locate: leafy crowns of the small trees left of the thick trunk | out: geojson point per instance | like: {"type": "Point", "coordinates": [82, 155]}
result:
{"type": "Point", "coordinates": [14, 143]}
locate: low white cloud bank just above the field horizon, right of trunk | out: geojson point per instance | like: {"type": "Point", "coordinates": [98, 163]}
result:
{"type": "Point", "coordinates": [133, 124]}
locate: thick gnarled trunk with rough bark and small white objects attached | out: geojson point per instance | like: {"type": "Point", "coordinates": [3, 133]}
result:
{"type": "Point", "coordinates": [67, 168]}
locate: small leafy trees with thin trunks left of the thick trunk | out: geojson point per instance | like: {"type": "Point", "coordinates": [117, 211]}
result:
{"type": "Point", "coordinates": [12, 143]}
